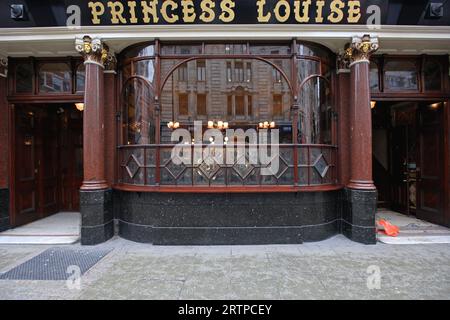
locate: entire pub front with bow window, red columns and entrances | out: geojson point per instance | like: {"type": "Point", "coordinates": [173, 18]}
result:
{"type": "Point", "coordinates": [348, 99]}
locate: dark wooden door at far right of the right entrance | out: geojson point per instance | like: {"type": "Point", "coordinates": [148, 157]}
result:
{"type": "Point", "coordinates": [430, 186]}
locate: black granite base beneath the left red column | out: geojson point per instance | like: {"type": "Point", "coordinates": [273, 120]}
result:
{"type": "Point", "coordinates": [97, 221]}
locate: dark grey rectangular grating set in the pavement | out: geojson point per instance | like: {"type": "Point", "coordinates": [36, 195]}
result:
{"type": "Point", "coordinates": [54, 263]}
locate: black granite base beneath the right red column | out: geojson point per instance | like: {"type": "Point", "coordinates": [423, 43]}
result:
{"type": "Point", "coordinates": [358, 216]}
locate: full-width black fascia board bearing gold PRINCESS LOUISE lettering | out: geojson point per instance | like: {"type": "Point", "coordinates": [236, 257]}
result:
{"type": "Point", "coordinates": [75, 13]}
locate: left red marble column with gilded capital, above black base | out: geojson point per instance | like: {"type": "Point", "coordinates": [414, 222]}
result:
{"type": "Point", "coordinates": [93, 51]}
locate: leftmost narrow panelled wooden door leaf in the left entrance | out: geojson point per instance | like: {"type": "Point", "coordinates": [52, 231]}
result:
{"type": "Point", "coordinates": [26, 193]}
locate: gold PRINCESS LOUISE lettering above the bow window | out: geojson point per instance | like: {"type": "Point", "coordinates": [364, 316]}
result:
{"type": "Point", "coordinates": [231, 11]}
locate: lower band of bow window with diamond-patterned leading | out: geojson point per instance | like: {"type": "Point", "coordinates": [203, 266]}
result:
{"type": "Point", "coordinates": [298, 166]}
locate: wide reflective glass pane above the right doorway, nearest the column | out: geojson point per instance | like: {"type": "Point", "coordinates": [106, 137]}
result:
{"type": "Point", "coordinates": [400, 75]}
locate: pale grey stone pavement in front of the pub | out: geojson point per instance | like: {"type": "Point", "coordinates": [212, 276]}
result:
{"type": "Point", "coordinates": [333, 269]}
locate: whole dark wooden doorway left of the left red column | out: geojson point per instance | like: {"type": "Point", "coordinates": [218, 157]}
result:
{"type": "Point", "coordinates": [47, 160]}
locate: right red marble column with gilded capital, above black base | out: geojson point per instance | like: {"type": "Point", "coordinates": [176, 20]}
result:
{"type": "Point", "coordinates": [360, 115]}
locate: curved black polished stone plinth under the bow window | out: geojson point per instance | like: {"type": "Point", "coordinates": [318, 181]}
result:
{"type": "Point", "coordinates": [221, 219]}
